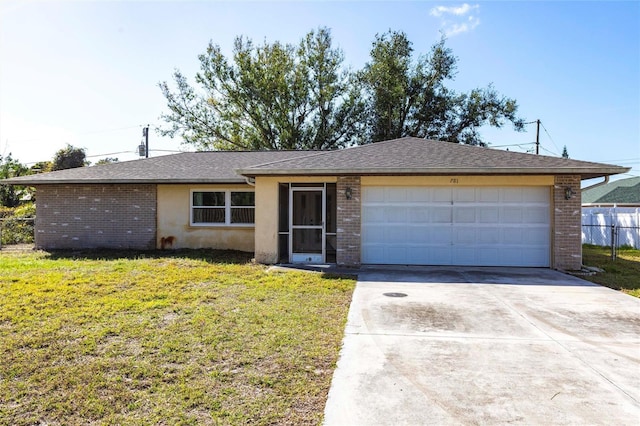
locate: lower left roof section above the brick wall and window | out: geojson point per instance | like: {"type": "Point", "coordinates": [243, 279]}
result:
{"type": "Point", "coordinates": [186, 167]}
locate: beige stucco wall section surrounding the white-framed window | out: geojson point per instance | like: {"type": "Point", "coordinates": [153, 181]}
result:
{"type": "Point", "coordinates": [174, 220]}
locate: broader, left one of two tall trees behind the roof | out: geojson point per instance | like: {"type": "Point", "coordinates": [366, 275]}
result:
{"type": "Point", "coordinates": [272, 96]}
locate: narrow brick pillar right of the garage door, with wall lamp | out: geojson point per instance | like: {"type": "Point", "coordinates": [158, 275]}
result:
{"type": "Point", "coordinates": [567, 236]}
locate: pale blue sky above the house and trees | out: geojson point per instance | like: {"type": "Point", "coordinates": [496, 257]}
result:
{"type": "Point", "coordinates": [86, 73]}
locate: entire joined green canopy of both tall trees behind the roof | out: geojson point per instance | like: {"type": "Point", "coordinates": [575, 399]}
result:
{"type": "Point", "coordinates": [285, 96]}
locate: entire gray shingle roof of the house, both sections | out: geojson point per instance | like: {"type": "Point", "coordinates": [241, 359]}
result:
{"type": "Point", "coordinates": [406, 156]}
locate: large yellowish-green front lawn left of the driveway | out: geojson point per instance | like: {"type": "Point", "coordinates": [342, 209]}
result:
{"type": "Point", "coordinates": [187, 338]}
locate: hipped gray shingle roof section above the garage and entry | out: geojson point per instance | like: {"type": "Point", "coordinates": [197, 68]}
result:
{"type": "Point", "coordinates": [415, 156]}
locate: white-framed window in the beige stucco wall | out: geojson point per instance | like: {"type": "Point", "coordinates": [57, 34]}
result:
{"type": "Point", "coordinates": [222, 208]}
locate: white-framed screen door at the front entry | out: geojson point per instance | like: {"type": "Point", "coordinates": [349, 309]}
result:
{"type": "Point", "coordinates": [307, 225]}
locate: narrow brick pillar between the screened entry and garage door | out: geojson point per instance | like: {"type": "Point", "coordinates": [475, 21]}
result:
{"type": "Point", "coordinates": [348, 230]}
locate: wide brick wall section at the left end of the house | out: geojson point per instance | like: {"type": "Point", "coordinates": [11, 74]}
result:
{"type": "Point", "coordinates": [95, 216]}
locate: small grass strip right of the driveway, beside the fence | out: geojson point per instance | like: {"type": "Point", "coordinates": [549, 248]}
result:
{"type": "Point", "coordinates": [620, 274]}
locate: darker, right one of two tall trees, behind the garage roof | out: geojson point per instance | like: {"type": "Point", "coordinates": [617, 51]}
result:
{"type": "Point", "coordinates": [407, 97]}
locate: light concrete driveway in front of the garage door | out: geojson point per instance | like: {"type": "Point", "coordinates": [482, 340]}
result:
{"type": "Point", "coordinates": [486, 346]}
